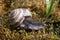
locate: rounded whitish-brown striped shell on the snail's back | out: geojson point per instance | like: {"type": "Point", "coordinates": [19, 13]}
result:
{"type": "Point", "coordinates": [17, 16]}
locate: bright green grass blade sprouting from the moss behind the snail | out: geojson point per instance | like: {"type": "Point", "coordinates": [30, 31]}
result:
{"type": "Point", "coordinates": [49, 6]}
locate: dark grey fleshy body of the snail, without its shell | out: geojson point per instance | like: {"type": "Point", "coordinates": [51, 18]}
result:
{"type": "Point", "coordinates": [32, 24]}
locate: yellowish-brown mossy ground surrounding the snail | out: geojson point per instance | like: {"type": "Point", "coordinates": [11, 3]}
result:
{"type": "Point", "coordinates": [37, 7]}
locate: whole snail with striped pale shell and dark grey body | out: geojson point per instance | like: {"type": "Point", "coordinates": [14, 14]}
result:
{"type": "Point", "coordinates": [22, 17]}
